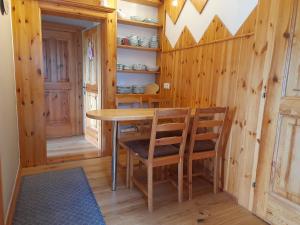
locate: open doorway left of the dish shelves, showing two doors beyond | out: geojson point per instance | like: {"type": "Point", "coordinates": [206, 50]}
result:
{"type": "Point", "coordinates": [72, 80]}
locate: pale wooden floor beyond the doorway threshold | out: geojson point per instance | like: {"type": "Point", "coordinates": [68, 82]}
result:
{"type": "Point", "coordinates": [68, 146]}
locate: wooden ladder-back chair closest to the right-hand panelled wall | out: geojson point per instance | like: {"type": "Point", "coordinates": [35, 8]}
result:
{"type": "Point", "coordinates": [206, 132]}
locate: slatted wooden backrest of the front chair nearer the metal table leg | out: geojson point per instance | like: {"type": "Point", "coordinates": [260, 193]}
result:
{"type": "Point", "coordinates": [169, 121]}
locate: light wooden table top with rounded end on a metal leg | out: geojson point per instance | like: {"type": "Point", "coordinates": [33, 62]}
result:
{"type": "Point", "coordinates": [122, 114]}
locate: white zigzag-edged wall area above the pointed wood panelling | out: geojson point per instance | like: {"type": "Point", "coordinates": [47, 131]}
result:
{"type": "Point", "coordinates": [233, 13]}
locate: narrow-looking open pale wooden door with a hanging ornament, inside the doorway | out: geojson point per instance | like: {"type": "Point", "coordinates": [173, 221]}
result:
{"type": "Point", "coordinates": [92, 82]}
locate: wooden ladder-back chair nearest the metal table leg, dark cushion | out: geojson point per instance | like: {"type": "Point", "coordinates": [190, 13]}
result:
{"type": "Point", "coordinates": [158, 152]}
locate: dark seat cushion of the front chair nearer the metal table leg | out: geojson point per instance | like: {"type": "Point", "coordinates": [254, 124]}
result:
{"type": "Point", "coordinates": [141, 147]}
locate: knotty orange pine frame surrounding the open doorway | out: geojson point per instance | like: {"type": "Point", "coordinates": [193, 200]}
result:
{"type": "Point", "coordinates": [29, 79]}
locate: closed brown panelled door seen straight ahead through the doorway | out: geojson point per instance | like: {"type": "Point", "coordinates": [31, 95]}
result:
{"type": "Point", "coordinates": [62, 82]}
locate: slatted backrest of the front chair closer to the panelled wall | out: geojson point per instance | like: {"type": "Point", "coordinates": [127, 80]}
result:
{"type": "Point", "coordinates": [208, 125]}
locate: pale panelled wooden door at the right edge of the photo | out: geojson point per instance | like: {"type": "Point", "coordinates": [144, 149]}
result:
{"type": "Point", "coordinates": [278, 188]}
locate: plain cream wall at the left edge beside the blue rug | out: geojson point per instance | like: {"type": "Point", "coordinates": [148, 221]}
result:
{"type": "Point", "coordinates": [9, 141]}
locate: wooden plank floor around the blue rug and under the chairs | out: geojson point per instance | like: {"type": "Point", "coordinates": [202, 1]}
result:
{"type": "Point", "coordinates": [125, 207]}
